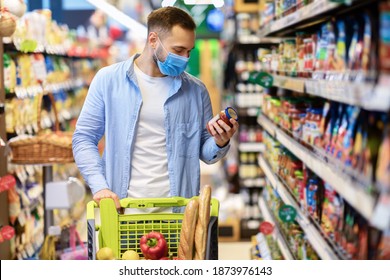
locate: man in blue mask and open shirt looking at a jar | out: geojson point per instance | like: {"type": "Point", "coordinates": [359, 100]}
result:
{"type": "Point", "coordinates": [153, 116]}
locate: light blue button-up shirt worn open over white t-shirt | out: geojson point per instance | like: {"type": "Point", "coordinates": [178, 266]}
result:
{"type": "Point", "coordinates": [112, 108]}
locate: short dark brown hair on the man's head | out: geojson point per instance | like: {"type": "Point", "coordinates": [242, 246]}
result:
{"type": "Point", "coordinates": [164, 19]}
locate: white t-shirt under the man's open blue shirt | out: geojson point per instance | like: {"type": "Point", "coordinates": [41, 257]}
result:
{"type": "Point", "coordinates": [149, 163]}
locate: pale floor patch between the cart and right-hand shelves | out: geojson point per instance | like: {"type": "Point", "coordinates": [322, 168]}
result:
{"type": "Point", "coordinates": [234, 250]}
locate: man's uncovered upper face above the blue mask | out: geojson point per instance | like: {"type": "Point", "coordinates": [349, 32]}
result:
{"type": "Point", "coordinates": [180, 41]}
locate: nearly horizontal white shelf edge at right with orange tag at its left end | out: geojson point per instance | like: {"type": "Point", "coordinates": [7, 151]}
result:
{"type": "Point", "coordinates": [367, 95]}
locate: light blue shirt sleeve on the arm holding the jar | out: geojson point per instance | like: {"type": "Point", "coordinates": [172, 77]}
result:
{"type": "Point", "coordinates": [210, 152]}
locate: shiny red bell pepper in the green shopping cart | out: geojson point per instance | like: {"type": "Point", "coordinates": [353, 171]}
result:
{"type": "Point", "coordinates": [153, 246]}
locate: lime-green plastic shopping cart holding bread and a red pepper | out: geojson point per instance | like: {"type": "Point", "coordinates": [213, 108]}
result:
{"type": "Point", "coordinates": [122, 232]}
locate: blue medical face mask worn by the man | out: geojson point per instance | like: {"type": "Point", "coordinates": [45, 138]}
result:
{"type": "Point", "coordinates": [173, 65]}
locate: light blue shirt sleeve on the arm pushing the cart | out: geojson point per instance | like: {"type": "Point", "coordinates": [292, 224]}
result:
{"type": "Point", "coordinates": [89, 130]}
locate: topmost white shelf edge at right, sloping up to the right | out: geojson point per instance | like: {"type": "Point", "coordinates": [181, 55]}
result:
{"type": "Point", "coordinates": [314, 9]}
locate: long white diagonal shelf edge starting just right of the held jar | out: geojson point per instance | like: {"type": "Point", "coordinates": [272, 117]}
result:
{"type": "Point", "coordinates": [340, 181]}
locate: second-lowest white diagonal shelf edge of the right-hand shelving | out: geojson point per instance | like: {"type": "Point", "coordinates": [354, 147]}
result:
{"type": "Point", "coordinates": [314, 236]}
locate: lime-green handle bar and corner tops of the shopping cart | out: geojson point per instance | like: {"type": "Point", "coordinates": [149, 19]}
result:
{"type": "Point", "coordinates": [152, 202]}
